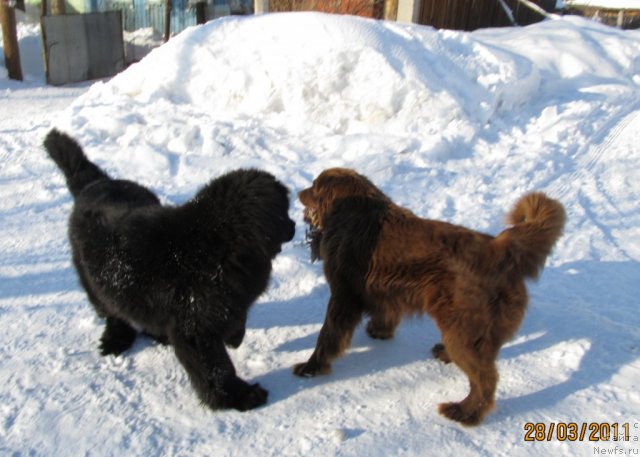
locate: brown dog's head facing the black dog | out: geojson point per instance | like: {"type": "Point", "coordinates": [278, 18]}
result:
{"type": "Point", "coordinates": [329, 186]}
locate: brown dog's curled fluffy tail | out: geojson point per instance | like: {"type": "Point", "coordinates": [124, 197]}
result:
{"type": "Point", "coordinates": [537, 223]}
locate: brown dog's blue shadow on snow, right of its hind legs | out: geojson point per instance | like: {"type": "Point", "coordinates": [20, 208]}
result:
{"type": "Point", "coordinates": [566, 312]}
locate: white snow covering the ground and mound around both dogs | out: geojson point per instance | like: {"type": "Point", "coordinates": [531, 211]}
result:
{"type": "Point", "coordinates": [452, 125]}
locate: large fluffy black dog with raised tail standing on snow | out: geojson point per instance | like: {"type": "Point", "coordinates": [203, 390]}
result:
{"type": "Point", "coordinates": [185, 275]}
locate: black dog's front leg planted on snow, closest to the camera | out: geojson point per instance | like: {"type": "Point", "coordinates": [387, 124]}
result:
{"type": "Point", "coordinates": [212, 373]}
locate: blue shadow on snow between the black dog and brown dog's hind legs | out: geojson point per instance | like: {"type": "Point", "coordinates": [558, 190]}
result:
{"type": "Point", "coordinates": [366, 356]}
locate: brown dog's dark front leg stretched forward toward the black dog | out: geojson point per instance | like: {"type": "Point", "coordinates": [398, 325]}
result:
{"type": "Point", "coordinates": [343, 315]}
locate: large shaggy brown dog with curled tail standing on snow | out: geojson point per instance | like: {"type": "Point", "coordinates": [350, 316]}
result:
{"type": "Point", "coordinates": [382, 260]}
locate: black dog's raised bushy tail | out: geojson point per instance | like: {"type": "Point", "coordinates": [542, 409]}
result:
{"type": "Point", "coordinates": [70, 158]}
